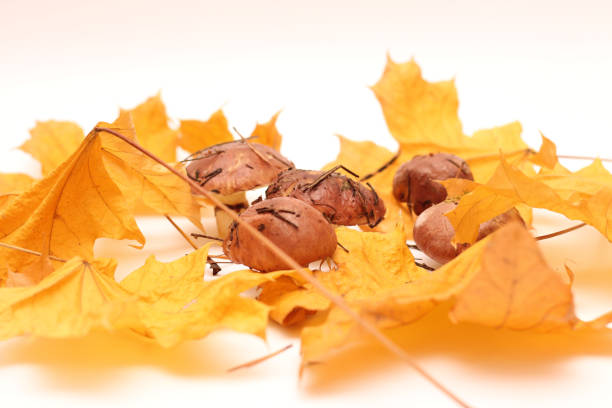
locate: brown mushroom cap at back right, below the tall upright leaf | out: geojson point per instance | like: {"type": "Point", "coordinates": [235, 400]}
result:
{"type": "Point", "coordinates": [414, 183]}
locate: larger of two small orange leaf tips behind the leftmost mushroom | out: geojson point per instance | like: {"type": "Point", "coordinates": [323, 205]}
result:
{"type": "Point", "coordinates": [196, 135]}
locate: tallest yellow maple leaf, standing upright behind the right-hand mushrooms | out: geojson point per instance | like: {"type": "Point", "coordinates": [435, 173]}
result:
{"type": "Point", "coordinates": [422, 117]}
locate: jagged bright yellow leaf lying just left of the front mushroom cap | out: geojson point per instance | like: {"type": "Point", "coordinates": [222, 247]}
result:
{"type": "Point", "coordinates": [176, 304]}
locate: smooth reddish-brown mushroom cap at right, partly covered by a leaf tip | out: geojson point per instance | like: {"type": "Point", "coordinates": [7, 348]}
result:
{"type": "Point", "coordinates": [433, 232]}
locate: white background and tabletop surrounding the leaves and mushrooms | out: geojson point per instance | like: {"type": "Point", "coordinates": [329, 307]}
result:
{"type": "Point", "coordinates": [544, 63]}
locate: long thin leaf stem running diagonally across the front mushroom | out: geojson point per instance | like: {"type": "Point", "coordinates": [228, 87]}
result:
{"type": "Point", "coordinates": [292, 264]}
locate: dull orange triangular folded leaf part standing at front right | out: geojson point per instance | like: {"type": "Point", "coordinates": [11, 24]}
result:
{"type": "Point", "coordinates": [514, 288]}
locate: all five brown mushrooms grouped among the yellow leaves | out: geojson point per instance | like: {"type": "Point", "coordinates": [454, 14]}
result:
{"type": "Point", "coordinates": [301, 207]}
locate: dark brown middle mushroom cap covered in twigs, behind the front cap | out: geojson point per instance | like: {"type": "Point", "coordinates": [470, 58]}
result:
{"type": "Point", "coordinates": [341, 200]}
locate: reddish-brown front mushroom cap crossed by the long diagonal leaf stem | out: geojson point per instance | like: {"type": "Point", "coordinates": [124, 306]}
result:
{"type": "Point", "coordinates": [296, 227]}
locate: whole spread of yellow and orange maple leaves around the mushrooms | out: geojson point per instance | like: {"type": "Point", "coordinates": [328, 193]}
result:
{"type": "Point", "coordinates": [51, 284]}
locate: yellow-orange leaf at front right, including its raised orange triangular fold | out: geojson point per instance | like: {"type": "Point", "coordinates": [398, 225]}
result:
{"type": "Point", "coordinates": [501, 281]}
